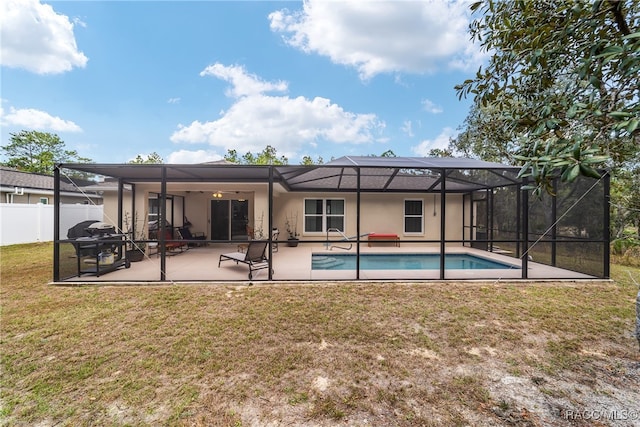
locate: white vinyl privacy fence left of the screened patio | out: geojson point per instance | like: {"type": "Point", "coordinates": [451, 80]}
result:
{"type": "Point", "coordinates": [22, 223]}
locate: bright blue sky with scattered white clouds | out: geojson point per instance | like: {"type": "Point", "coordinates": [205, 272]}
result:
{"type": "Point", "coordinates": [190, 80]}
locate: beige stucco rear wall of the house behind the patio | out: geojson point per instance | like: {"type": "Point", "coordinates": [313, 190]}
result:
{"type": "Point", "coordinates": [380, 213]}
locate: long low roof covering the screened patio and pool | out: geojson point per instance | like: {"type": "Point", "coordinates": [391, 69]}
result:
{"type": "Point", "coordinates": [376, 174]}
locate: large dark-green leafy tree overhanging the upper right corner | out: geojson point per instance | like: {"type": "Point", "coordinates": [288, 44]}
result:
{"type": "Point", "coordinates": [561, 88]}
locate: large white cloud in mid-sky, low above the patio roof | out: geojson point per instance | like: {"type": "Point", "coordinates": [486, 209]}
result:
{"type": "Point", "coordinates": [256, 120]}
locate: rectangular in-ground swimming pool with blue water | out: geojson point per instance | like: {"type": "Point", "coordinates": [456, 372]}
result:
{"type": "Point", "coordinates": [404, 261]}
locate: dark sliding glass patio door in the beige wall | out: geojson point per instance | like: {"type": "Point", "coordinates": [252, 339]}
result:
{"type": "Point", "coordinates": [229, 219]}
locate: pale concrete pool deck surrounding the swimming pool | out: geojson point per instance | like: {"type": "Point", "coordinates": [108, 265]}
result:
{"type": "Point", "coordinates": [200, 264]}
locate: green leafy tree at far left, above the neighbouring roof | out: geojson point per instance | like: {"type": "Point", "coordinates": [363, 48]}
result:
{"type": "Point", "coordinates": [38, 152]}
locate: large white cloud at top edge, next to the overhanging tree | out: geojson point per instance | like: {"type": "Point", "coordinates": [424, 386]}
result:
{"type": "Point", "coordinates": [383, 36]}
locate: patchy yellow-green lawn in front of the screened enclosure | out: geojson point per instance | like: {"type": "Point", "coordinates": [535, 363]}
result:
{"type": "Point", "coordinates": [382, 353]}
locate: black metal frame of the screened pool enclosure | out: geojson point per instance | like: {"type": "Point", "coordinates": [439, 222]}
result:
{"type": "Point", "coordinates": [282, 175]}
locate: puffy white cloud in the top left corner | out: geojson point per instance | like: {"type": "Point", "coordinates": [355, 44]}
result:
{"type": "Point", "coordinates": [36, 38]}
